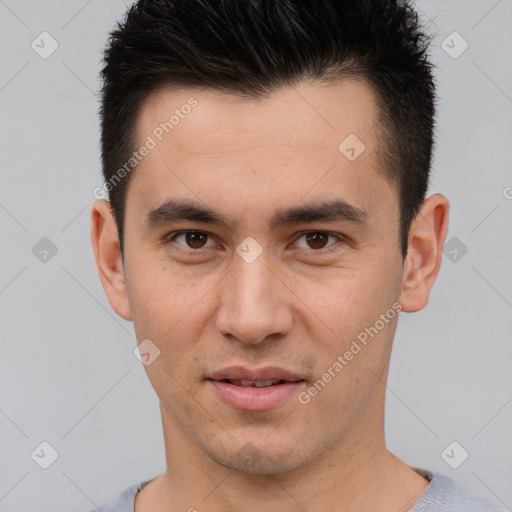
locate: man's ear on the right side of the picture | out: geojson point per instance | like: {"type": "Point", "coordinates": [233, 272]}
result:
{"type": "Point", "coordinates": [425, 252]}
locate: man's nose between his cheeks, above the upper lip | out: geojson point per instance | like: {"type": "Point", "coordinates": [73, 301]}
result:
{"type": "Point", "coordinates": [255, 303]}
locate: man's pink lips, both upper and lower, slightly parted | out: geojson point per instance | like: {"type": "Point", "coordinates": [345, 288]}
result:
{"type": "Point", "coordinates": [252, 398]}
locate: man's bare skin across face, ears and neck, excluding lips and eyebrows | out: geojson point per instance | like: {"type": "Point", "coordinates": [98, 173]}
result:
{"type": "Point", "coordinates": [299, 305]}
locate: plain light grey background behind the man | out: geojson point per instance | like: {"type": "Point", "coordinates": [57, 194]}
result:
{"type": "Point", "coordinates": [68, 375]}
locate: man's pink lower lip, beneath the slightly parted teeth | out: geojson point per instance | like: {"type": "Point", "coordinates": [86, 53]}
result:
{"type": "Point", "coordinates": [252, 398]}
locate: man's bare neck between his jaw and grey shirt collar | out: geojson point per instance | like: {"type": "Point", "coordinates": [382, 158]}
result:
{"type": "Point", "coordinates": [356, 473]}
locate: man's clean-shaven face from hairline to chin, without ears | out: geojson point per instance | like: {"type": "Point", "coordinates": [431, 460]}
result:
{"type": "Point", "coordinates": [293, 297]}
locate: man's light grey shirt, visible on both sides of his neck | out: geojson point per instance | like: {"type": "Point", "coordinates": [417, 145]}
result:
{"type": "Point", "coordinates": [442, 495]}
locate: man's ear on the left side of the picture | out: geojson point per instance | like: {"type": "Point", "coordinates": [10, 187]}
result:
{"type": "Point", "coordinates": [107, 251]}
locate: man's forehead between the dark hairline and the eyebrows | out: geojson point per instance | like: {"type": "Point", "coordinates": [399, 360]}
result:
{"type": "Point", "coordinates": [306, 139]}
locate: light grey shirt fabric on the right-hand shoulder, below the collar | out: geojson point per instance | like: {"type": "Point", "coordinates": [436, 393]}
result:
{"type": "Point", "coordinates": [443, 494]}
